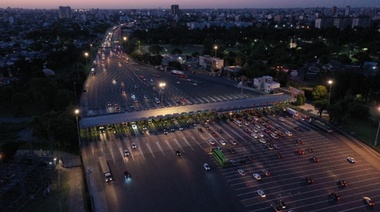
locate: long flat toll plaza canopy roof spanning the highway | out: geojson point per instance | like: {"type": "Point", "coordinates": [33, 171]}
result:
{"type": "Point", "coordinates": [262, 101]}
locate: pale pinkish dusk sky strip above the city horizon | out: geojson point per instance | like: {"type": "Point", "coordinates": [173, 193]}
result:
{"type": "Point", "coordinates": [184, 4]}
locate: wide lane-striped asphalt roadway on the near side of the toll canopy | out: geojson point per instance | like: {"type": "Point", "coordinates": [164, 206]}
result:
{"type": "Point", "coordinates": [162, 181]}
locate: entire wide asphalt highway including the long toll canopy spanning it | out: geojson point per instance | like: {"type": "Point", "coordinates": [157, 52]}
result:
{"type": "Point", "coordinates": [162, 181]}
